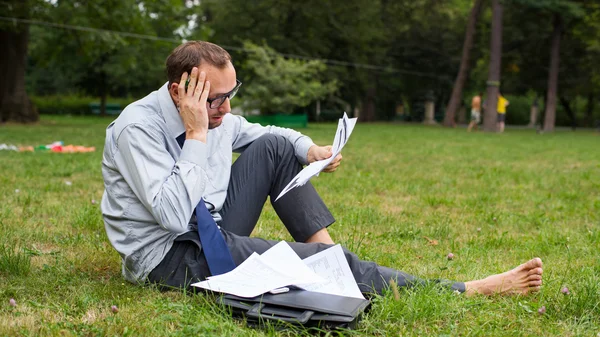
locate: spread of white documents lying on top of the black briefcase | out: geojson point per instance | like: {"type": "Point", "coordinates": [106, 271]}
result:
{"type": "Point", "coordinates": [325, 272]}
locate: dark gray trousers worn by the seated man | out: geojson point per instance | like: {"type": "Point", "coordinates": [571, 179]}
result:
{"type": "Point", "coordinates": [263, 169]}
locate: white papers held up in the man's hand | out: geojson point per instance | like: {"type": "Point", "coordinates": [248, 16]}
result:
{"type": "Point", "coordinates": [345, 127]}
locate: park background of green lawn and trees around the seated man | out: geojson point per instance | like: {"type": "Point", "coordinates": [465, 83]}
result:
{"type": "Point", "coordinates": [407, 194]}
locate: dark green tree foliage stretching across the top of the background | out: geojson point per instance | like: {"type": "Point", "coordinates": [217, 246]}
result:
{"type": "Point", "coordinates": [420, 40]}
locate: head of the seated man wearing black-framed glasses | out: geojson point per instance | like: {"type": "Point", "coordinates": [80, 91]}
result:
{"type": "Point", "coordinates": [216, 63]}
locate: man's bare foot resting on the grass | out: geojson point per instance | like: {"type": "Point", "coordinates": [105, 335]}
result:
{"type": "Point", "coordinates": [521, 280]}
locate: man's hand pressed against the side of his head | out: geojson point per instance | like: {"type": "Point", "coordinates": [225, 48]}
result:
{"type": "Point", "coordinates": [192, 104]}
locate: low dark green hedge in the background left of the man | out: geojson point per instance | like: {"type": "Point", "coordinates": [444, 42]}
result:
{"type": "Point", "coordinates": [71, 104]}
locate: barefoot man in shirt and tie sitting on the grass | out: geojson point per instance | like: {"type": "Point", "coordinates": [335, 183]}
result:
{"type": "Point", "coordinates": [155, 182]}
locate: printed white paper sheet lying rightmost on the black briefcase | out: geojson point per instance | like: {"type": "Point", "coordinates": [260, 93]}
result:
{"type": "Point", "coordinates": [332, 265]}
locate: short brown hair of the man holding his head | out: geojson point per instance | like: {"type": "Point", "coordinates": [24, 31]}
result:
{"type": "Point", "coordinates": [192, 54]}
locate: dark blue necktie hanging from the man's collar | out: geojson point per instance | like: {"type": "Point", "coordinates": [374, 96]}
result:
{"type": "Point", "coordinates": [215, 249]}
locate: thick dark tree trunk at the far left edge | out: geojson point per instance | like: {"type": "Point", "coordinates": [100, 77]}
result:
{"type": "Point", "coordinates": [15, 105]}
